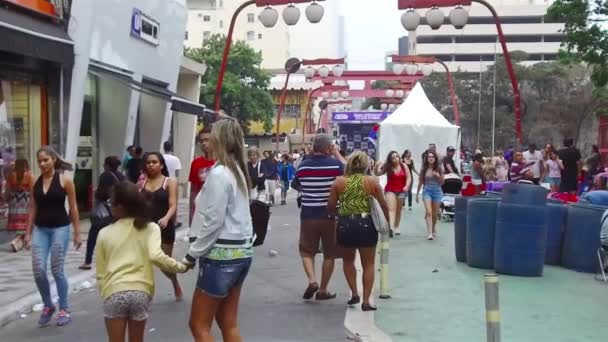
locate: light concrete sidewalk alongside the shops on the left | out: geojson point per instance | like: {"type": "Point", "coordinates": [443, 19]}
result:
{"type": "Point", "coordinates": [18, 292]}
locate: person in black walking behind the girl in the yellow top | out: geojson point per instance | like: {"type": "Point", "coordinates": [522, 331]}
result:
{"type": "Point", "coordinates": [102, 215]}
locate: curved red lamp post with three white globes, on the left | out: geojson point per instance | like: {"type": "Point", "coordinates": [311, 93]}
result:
{"type": "Point", "coordinates": [268, 17]}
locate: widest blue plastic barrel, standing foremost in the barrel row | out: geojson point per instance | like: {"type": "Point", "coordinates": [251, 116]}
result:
{"type": "Point", "coordinates": [521, 239]}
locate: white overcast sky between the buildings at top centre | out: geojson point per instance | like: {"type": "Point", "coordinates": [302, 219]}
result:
{"type": "Point", "coordinates": [373, 28]}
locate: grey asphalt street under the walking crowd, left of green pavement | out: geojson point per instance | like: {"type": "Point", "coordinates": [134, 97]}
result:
{"type": "Point", "coordinates": [271, 305]}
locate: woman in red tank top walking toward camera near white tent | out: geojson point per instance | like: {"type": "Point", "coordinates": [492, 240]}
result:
{"type": "Point", "coordinates": [398, 181]}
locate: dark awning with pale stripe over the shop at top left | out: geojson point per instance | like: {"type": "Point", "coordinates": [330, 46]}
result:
{"type": "Point", "coordinates": [26, 35]}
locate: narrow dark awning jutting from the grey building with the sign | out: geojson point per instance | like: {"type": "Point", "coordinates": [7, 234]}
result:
{"type": "Point", "coordinates": [178, 103]}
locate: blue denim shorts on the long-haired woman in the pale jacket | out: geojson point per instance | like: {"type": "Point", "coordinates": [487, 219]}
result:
{"type": "Point", "coordinates": [217, 277]}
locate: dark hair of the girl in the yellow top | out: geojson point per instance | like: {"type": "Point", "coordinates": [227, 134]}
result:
{"type": "Point", "coordinates": [134, 203]}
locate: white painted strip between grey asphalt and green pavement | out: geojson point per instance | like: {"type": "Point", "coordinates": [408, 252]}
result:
{"type": "Point", "coordinates": [359, 325]}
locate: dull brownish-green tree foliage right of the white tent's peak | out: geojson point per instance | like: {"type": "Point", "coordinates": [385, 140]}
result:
{"type": "Point", "coordinates": [557, 100]}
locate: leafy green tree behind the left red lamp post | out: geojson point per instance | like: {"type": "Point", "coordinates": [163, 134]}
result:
{"type": "Point", "coordinates": [245, 93]}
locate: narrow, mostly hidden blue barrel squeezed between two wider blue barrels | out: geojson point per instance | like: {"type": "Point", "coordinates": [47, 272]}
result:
{"type": "Point", "coordinates": [557, 212]}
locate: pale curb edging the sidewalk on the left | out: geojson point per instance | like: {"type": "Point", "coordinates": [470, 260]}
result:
{"type": "Point", "coordinates": [13, 311]}
